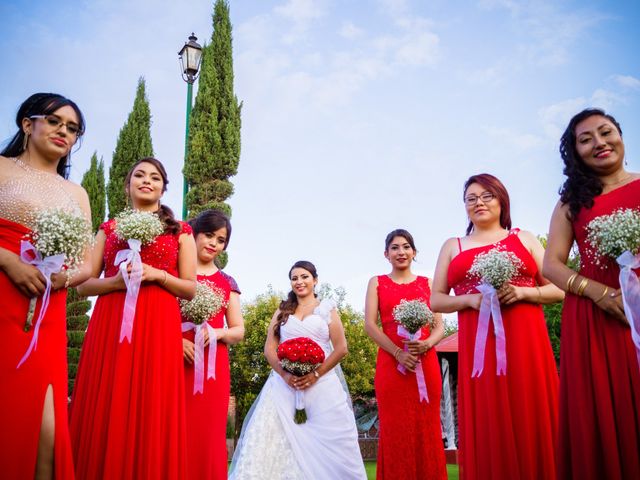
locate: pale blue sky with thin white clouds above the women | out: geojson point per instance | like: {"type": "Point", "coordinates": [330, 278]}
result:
{"type": "Point", "coordinates": [358, 117]}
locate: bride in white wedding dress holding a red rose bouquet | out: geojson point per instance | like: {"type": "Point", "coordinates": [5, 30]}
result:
{"type": "Point", "coordinates": [325, 447]}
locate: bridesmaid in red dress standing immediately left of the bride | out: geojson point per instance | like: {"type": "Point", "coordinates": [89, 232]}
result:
{"type": "Point", "coordinates": [207, 409]}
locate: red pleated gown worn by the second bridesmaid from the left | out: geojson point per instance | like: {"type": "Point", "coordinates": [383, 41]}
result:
{"type": "Point", "coordinates": [127, 412]}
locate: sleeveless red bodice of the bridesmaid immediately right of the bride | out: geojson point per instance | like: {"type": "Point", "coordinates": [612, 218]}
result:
{"type": "Point", "coordinates": [391, 293]}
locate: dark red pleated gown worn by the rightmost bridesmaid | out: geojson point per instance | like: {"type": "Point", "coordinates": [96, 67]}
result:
{"type": "Point", "coordinates": [599, 372]}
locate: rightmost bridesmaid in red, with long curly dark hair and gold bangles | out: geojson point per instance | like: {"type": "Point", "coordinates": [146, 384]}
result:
{"type": "Point", "coordinates": [599, 373]}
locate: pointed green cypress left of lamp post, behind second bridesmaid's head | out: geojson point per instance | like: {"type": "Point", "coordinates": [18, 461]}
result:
{"type": "Point", "coordinates": [134, 143]}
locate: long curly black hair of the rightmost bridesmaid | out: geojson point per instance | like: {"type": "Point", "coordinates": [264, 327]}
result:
{"type": "Point", "coordinates": [582, 184]}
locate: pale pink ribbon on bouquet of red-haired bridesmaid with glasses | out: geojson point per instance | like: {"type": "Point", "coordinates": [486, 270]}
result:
{"type": "Point", "coordinates": [489, 308]}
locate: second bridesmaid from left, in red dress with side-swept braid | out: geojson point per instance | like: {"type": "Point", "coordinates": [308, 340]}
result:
{"type": "Point", "coordinates": [128, 412]}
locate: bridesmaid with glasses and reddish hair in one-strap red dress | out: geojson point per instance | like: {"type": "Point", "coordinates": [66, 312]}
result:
{"type": "Point", "coordinates": [507, 422]}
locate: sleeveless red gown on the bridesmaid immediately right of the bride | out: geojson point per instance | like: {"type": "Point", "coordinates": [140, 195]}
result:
{"type": "Point", "coordinates": [410, 439]}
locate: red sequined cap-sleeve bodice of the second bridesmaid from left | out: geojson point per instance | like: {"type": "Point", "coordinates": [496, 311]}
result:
{"type": "Point", "coordinates": [162, 253]}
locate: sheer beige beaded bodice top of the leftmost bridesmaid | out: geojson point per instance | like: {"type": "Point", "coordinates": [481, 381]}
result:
{"type": "Point", "coordinates": [30, 191]}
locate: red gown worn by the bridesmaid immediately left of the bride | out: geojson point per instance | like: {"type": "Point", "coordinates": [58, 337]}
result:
{"type": "Point", "coordinates": [207, 411]}
